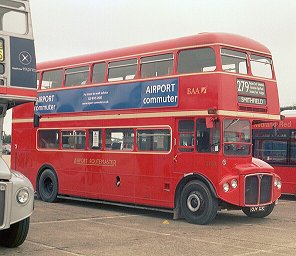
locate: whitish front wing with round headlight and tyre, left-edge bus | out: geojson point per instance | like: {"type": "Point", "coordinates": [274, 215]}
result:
{"type": "Point", "coordinates": [16, 206]}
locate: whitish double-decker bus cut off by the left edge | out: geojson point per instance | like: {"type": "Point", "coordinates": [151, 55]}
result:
{"type": "Point", "coordinates": [17, 86]}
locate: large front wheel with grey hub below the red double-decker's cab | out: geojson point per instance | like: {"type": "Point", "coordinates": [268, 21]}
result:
{"type": "Point", "coordinates": [198, 205]}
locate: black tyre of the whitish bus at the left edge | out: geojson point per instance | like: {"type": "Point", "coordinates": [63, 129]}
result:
{"type": "Point", "coordinates": [16, 234]}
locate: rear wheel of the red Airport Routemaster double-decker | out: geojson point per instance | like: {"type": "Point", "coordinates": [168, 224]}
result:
{"type": "Point", "coordinates": [48, 186]}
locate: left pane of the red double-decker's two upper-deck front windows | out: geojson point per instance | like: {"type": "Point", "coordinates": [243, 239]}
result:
{"type": "Point", "coordinates": [234, 61]}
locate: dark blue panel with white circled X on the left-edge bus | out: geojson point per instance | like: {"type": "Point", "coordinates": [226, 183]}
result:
{"type": "Point", "coordinates": [23, 63]}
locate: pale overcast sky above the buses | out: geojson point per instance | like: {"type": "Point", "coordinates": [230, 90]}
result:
{"type": "Point", "coordinates": [64, 28]}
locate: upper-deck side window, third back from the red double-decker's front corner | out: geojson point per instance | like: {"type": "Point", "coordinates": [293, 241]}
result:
{"type": "Point", "coordinates": [122, 70]}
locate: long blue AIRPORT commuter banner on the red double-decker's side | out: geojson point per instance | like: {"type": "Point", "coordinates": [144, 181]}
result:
{"type": "Point", "coordinates": [150, 94]}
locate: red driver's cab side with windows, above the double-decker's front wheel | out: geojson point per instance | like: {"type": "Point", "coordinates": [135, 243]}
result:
{"type": "Point", "coordinates": [197, 145]}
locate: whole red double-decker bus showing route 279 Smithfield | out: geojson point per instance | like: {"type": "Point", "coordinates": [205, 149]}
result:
{"type": "Point", "coordinates": [164, 125]}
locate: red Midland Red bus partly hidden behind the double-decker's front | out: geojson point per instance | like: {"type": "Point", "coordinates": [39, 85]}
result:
{"type": "Point", "coordinates": [275, 143]}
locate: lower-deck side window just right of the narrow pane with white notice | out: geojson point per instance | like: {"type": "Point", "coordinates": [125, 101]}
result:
{"type": "Point", "coordinates": [119, 139]}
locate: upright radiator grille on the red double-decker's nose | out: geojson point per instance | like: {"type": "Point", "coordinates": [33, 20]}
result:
{"type": "Point", "coordinates": [258, 189]}
